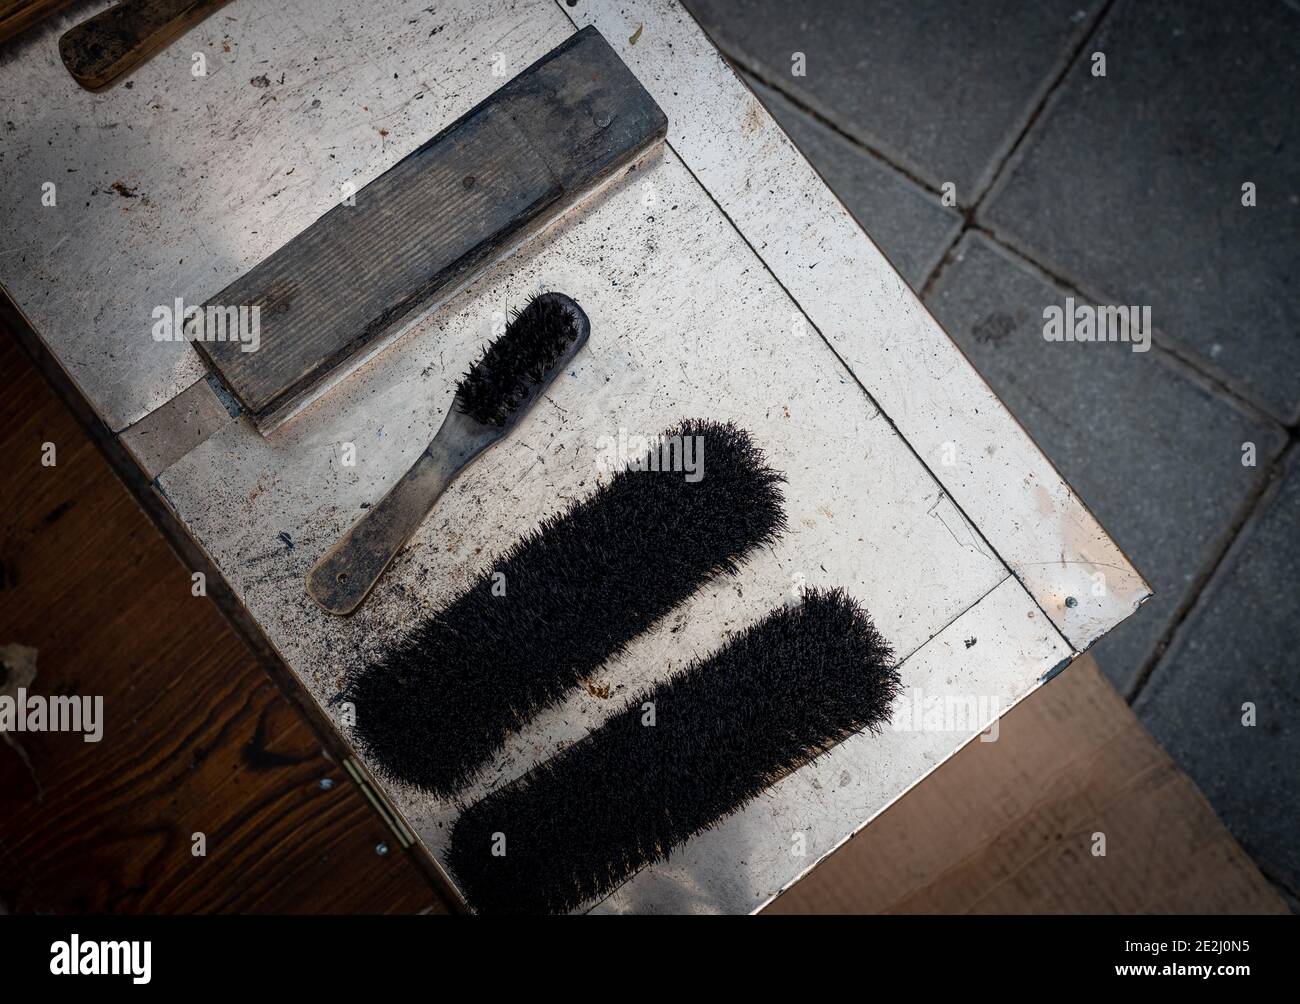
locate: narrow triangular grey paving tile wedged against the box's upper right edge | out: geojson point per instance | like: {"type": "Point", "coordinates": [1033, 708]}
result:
{"type": "Point", "coordinates": [908, 223]}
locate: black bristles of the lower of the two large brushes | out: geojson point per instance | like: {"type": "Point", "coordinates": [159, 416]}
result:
{"type": "Point", "coordinates": [726, 729]}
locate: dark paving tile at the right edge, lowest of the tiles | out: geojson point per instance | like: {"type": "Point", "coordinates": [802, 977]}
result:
{"type": "Point", "coordinates": [1240, 646]}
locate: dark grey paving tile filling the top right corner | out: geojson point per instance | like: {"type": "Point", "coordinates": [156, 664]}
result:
{"type": "Point", "coordinates": [1130, 185]}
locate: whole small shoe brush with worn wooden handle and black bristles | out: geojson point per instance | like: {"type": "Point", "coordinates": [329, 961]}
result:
{"type": "Point", "coordinates": [491, 400]}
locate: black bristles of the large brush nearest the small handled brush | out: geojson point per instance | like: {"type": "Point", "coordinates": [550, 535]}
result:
{"type": "Point", "coordinates": [578, 590]}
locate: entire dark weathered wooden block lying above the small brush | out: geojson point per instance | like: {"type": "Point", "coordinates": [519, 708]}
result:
{"type": "Point", "coordinates": [419, 231]}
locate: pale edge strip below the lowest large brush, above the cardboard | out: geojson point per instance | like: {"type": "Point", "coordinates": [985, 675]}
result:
{"type": "Point", "coordinates": [989, 659]}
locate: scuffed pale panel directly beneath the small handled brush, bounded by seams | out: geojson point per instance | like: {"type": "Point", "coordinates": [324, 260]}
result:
{"type": "Point", "coordinates": [684, 322]}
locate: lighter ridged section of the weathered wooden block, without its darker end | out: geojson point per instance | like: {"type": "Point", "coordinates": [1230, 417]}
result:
{"type": "Point", "coordinates": [359, 270]}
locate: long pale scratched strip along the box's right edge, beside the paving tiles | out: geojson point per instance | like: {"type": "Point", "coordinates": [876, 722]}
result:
{"type": "Point", "coordinates": [865, 309]}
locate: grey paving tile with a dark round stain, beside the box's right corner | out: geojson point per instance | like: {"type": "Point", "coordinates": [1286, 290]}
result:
{"type": "Point", "coordinates": [1150, 449]}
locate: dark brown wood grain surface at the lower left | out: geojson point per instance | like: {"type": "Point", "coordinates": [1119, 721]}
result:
{"type": "Point", "coordinates": [197, 738]}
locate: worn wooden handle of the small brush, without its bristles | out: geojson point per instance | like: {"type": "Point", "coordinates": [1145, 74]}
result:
{"type": "Point", "coordinates": [348, 573]}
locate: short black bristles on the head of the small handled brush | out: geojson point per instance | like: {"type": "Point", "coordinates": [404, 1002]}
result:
{"type": "Point", "coordinates": [514, 363]}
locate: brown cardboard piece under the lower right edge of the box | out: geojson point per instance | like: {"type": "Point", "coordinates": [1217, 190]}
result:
{"type": "Point", "coordinates": [1011, 826]}
